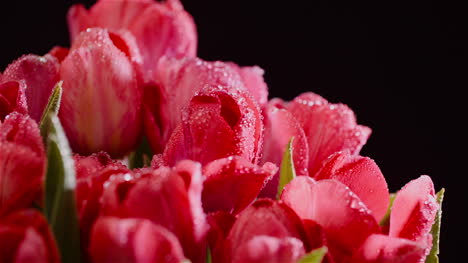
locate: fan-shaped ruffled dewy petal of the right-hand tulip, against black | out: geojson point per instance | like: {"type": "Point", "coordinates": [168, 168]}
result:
{"type": "Point", "coordinates": [329, 128]}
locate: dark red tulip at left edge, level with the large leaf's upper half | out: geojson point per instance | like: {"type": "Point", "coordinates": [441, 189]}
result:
{"type": "Point", "coordinates": [22, 162]}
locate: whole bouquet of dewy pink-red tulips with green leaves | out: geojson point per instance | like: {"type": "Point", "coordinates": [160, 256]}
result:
{"type": "Point", "coordinates": [127, 147]}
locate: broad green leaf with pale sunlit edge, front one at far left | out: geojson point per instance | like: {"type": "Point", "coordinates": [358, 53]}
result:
{"type": "Point", "coordinates": [60, 206]}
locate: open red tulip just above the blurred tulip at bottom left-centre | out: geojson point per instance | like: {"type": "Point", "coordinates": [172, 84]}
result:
{"type": "Point", "coordinates": [168, 197]}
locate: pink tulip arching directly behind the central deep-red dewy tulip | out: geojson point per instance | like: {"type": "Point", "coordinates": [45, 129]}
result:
{"type": "Point", "coordinates": [178, 80]}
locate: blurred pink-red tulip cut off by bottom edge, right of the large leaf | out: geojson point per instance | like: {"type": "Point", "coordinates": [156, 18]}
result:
{"type": "Point", "coordinates": [133, 240]}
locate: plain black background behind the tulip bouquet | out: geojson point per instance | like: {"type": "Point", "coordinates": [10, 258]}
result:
{"type": "Point", "coordinates": [400, 65]}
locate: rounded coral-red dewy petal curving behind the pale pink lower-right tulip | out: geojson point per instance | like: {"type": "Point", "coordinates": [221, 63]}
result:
{"type": "Point", "coordinates": [362, 176]}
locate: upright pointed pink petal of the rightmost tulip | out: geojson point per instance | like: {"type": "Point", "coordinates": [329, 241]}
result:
{"type": "Point", "coordinates": [414, 210]}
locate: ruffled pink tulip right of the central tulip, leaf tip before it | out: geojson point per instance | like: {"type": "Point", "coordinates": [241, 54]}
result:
{"type": "Point", "coordinates": [327, 127]}
